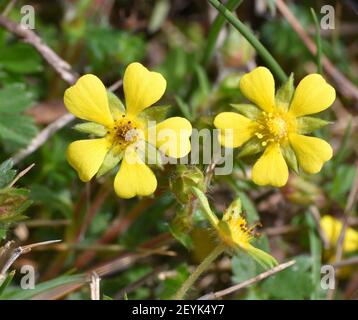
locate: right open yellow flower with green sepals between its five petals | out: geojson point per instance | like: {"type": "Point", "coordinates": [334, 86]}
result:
{"type": "Point", "coordinates": [277, 127]}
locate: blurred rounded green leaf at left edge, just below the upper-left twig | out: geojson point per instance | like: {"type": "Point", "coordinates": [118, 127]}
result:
{"type": "Point", "coordinates": [20, 58]}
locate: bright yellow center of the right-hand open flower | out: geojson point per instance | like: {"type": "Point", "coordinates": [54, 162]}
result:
{"type": "Point", "coordinates": [274, 127]}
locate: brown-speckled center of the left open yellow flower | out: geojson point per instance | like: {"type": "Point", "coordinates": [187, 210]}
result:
{"type": "Point", "coordinates": [125, 131]}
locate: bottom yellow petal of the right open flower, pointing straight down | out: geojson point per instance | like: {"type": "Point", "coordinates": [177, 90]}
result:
{"type": "Point", "coordinates": [271, 168]}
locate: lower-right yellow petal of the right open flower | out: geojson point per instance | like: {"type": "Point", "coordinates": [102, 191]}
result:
{"type": "Point", "coordinates": [311, 152]}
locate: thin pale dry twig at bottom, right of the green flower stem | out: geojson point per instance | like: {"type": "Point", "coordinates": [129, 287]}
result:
{"type": "Point", "coordinates": [235, 288]}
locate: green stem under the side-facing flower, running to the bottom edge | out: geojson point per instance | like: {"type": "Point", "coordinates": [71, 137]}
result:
{"type": "Point", "coordinates": [203, 266]}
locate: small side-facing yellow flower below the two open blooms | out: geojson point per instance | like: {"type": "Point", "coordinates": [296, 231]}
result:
{"type": "Point", "coordinates": [233, 230]}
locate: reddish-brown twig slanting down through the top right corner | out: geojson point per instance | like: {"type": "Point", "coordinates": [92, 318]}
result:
{"type": "Point", "coordinates": [345, 86]}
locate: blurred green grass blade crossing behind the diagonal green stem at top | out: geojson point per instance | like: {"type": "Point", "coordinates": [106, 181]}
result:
{"type": "Point", "coordinates": [215, 30]}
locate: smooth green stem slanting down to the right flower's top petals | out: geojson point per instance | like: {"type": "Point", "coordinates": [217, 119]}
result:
{"type": "Point", "coordinates": [250, 37]}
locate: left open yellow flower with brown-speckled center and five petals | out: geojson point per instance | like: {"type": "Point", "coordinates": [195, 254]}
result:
{"type": "Point", "coordinates": [124, 132]}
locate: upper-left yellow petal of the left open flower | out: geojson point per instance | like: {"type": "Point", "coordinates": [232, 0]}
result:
{"type": "Point", "coordinates": [87, 100]}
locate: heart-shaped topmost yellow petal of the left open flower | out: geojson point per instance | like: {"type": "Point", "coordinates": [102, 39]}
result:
{"type": "Point", "coordinates": [142, 87]}
